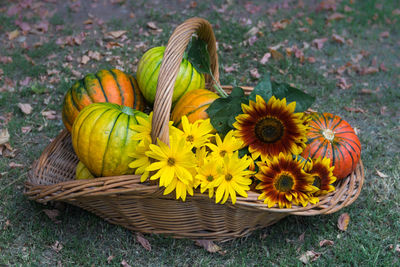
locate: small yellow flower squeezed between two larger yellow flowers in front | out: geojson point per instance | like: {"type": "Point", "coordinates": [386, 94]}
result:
{"type": "Point", "coordinates": [209, 172]}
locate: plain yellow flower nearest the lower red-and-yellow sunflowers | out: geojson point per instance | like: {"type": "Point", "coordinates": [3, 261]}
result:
{"type": "Point", "coordinates": [235, 178]}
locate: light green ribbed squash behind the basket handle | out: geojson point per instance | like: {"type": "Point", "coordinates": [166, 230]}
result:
{"type": "Point", "coordinates": [147, 75]}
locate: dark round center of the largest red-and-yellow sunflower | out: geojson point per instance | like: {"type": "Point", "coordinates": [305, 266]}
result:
{"type": "Point", "coordinates": [269, 130]}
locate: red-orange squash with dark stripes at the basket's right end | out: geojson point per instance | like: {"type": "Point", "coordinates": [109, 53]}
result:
{"type": "Point", "coordinates": [332, 137]}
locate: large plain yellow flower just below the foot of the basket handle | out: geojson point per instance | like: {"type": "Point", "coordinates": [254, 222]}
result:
{"type": "Point", "coordinates": [174, 161]}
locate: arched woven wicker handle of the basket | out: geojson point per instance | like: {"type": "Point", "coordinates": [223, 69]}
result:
{"type": "Point", "coordinates": [169, 69]}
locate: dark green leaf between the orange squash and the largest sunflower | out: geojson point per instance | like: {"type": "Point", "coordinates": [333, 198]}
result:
{"type": "Point", "coordinates": [222, 111]}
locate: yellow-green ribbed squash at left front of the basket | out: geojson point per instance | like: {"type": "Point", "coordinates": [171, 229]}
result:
{"type": "Point", "coordinates": [102, 138]}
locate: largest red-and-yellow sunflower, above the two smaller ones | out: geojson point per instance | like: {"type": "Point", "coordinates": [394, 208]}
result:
{"type": "Point", "coordinates": [271, 128]}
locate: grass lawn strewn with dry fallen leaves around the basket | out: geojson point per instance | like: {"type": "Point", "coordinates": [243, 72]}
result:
{"type": "Point", "coordinates": [346, 53]}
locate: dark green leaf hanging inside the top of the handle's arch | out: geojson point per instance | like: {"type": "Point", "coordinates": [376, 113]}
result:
{"type": "Point", "coordinates": [198, 55]}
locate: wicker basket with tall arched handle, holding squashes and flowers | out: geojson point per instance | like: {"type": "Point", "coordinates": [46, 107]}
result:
{"type": "Point", "coordinates": [142, 207]}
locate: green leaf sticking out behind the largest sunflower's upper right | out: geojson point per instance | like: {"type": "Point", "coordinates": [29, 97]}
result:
{"type": "Point", "coordinates": [303, 100]}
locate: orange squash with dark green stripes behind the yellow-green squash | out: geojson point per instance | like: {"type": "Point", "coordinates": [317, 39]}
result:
{"type": "Point", "coordinates": [112, 86]}
